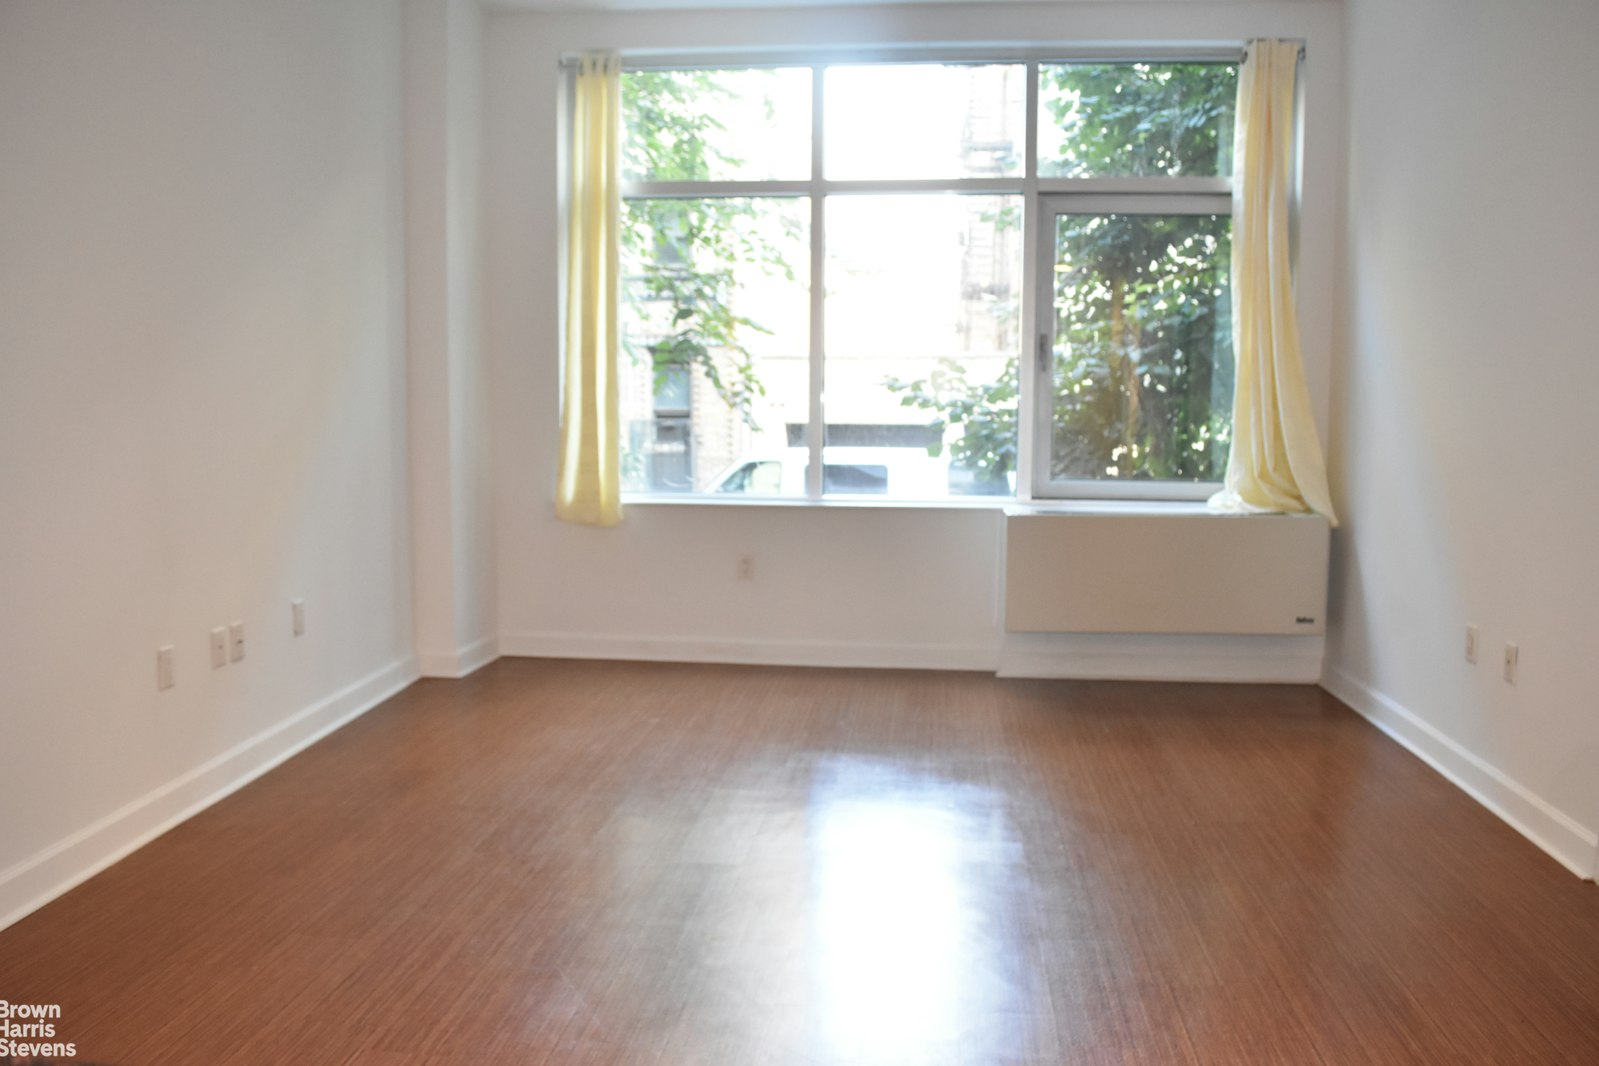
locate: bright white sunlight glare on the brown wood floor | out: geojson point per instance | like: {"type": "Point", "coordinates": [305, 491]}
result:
{"type": "Point", "coordinates": [906, 947]}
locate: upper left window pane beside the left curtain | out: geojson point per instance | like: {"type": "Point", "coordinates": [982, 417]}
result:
{"type": "Point", "coordinates": [717, 125]}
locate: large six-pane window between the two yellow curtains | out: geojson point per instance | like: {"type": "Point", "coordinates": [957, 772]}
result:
{"type": "Point", "coordinates": [829, 263]}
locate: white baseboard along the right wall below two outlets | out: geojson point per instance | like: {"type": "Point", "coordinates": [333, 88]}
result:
{"type": "Point", "coordinates": [1518, 806]}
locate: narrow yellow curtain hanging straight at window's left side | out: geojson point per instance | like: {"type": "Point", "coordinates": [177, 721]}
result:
{"type": "Point", "coordinates": [589, 488]}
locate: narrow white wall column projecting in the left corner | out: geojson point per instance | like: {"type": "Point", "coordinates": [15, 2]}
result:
{"type": "Point", "coordinates": [452, 496]}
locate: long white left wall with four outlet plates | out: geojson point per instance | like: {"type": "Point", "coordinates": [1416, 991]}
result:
{"type": "Point", "coordinates": [202, 404]}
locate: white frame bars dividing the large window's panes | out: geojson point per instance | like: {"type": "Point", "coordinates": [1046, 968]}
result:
{"type": "Point", "coordinates": [1042, 204]}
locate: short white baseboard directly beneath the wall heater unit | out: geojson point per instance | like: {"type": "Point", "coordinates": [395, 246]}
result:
{"type": "Point", "coordinates": [1157, 658]}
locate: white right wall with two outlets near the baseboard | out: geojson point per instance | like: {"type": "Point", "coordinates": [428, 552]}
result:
{"type": "Point", "coordinates": [1464, 415]}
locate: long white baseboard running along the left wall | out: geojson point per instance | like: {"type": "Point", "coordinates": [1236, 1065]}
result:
{"type": "Point", "coordinates": [62, 867]}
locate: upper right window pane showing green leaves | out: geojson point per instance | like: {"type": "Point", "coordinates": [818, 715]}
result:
{"type": "Point", "coordinates": [1162, 121]}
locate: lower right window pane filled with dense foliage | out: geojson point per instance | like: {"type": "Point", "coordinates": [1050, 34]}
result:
{"type": "Point", "coordinates": [1144, 354]}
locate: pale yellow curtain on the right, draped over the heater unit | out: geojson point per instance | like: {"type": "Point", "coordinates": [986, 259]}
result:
{"type": "Point", "coordinates": [1277, 461]}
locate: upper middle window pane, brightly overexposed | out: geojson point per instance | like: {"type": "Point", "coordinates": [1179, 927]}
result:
{"type": "Point", "coordinates": [925, 121]}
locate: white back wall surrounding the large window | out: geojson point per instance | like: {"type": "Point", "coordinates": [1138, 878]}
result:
{"type": "Point", "coordinates": [871, 586]}
